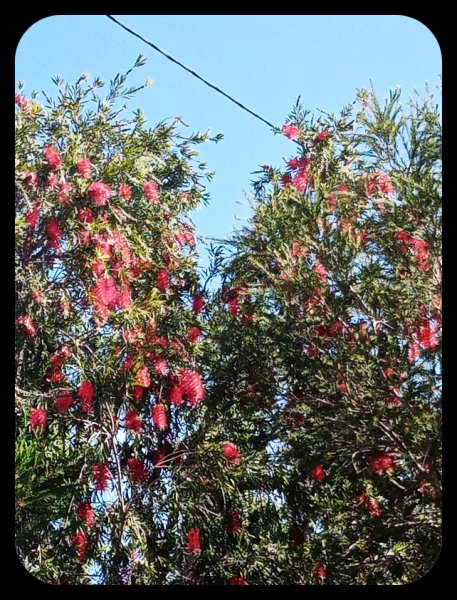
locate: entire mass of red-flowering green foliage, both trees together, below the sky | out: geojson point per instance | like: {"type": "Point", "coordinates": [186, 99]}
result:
{"type": "Point", "coordinates": [284, 428]}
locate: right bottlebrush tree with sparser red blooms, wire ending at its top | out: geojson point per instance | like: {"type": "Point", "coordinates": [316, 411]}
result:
{"type": "Point", "coordinates": [327, 368]}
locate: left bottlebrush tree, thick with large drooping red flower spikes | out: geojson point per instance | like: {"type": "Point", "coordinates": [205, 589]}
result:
{"type": "Point", "coordinates": [109, 313]}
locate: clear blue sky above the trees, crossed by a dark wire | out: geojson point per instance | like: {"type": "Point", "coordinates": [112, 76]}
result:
{"type": "Point", "coordinates": [263, 61]}
